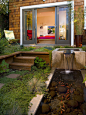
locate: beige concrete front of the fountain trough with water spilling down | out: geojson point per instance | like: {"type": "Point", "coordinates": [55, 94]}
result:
{"type": "Point", "coordinates": [76, 61]}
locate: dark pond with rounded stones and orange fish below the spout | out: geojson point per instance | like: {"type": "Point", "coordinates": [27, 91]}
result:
{"type": "Point", "coordinates": [66, 95]}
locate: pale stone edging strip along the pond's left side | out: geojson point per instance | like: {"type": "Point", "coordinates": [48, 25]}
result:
{"type": "Point", "coordinates": [36, 100]}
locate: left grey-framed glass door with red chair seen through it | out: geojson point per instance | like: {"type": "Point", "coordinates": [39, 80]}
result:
{"type": "Point", "coordinates": [29, 29]}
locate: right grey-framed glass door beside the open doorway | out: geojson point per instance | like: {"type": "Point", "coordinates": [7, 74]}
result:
{"type": "Point", "coordinates": [63, 25]}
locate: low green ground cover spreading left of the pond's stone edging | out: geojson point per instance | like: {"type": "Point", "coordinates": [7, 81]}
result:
{"type": "Point", "coordinates": [17, 93]}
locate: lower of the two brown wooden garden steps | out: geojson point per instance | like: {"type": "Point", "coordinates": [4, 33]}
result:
{"type": "Point", "coordinates": [20, 66]}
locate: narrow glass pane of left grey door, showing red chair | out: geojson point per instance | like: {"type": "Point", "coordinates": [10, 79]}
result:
{"type": "Point", "coordinates": [28, 25]}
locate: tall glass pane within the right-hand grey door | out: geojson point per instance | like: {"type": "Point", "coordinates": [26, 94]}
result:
{"type": "Point", "coordinates": [63, 23]}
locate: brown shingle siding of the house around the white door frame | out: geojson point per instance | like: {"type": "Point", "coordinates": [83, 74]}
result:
{"type": "Point", "coordinates": [14, 15]}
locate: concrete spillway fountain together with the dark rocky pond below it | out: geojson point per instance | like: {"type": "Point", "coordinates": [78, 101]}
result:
{"type": "Point", "coordinates": [66, 94]}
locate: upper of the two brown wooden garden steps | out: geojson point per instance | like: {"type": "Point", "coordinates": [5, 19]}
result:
{"type": "Point", "coordinates": [24, 59]}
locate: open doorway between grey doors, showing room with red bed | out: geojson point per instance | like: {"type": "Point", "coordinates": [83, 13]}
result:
{"type": "Point", "coordinates": [46, 25]}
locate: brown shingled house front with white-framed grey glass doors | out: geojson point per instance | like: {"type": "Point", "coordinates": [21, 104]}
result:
{"type": "Point", "coordinates": [44, 21]}
